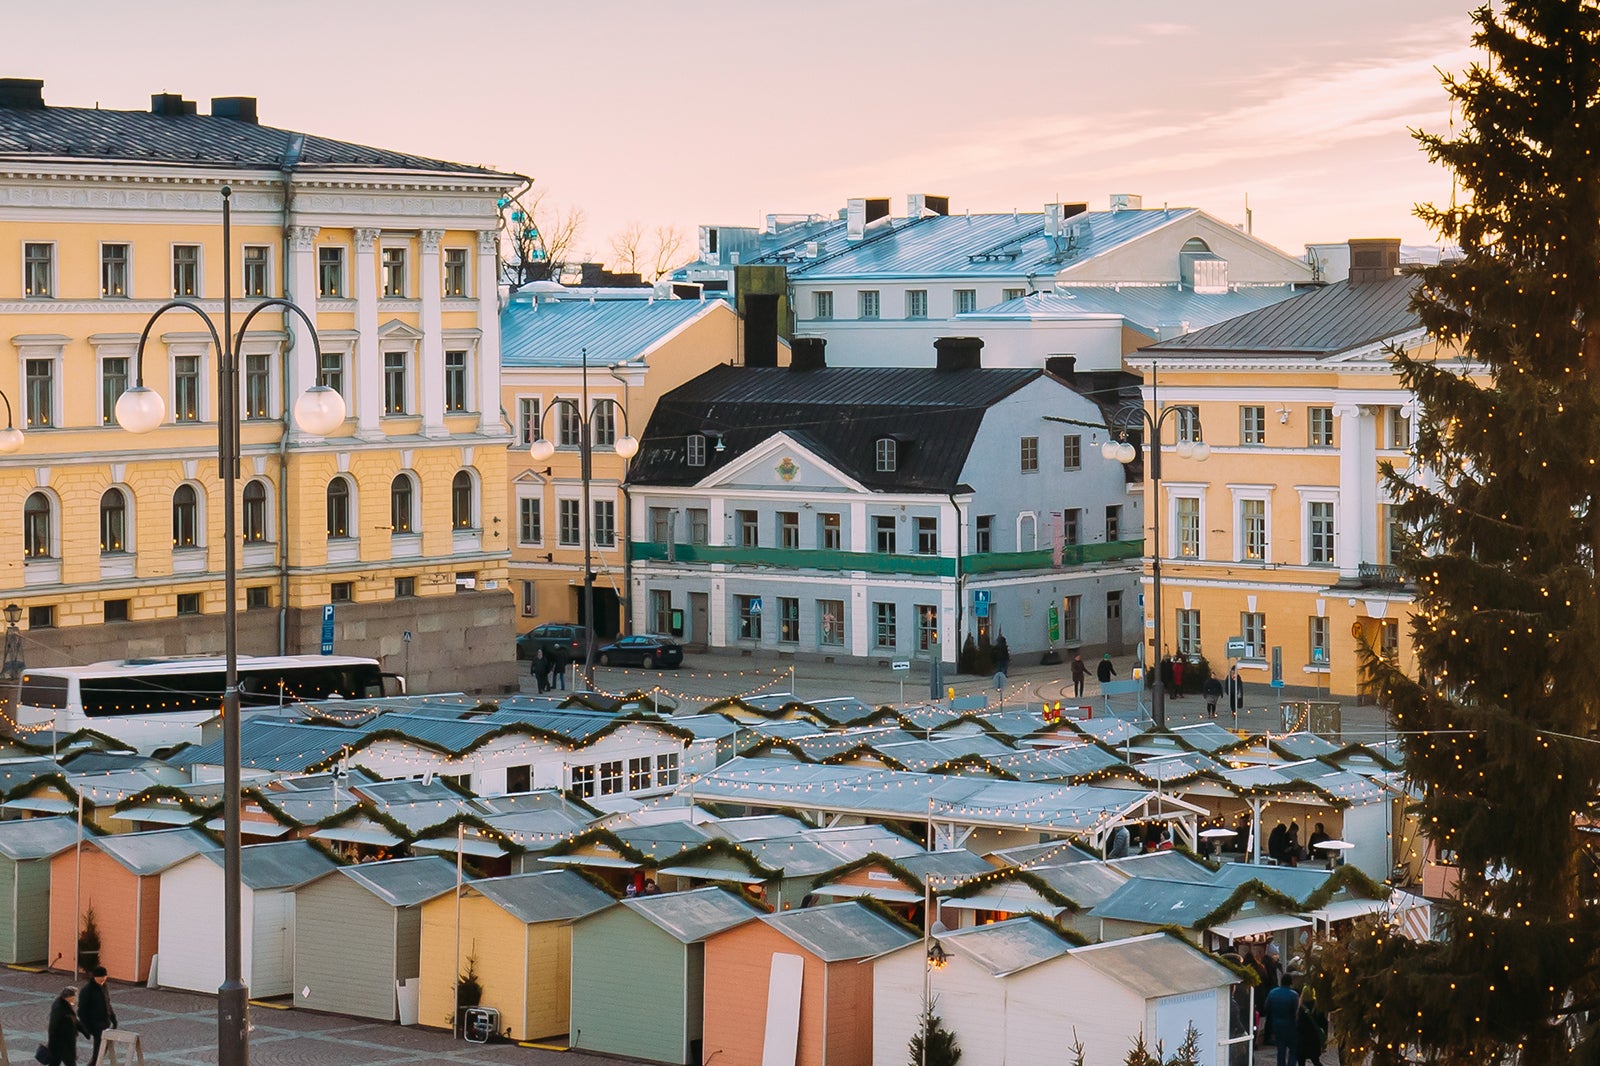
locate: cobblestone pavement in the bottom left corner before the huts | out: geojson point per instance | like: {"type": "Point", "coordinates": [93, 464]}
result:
{"type": "Point", "coordinates": [180, 1030]}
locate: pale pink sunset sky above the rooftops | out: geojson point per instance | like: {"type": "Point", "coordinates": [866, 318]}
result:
{"type": "Point", "coordinates": [722, 111]}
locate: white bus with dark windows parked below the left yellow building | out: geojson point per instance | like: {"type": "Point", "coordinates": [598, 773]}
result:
{"type": "Point", "coordinates": [159, 703]}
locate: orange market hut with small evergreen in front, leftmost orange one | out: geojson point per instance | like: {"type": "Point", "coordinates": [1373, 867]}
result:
{"type": "Point", "coordinates": [121, 883]}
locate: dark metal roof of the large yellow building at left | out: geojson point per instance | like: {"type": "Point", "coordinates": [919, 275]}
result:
{"type": "Point", "coordinates": [140, 137]}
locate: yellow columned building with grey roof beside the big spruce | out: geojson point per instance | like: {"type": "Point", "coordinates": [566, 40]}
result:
{"type": "Point", "coordinates": [1282, 535]}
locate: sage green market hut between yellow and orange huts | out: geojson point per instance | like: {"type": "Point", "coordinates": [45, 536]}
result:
{"type": "Point", "coordinates": [639, 972]}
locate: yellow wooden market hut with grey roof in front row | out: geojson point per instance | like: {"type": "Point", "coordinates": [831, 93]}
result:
{"type": "Point", "coordinates": [516, 937]}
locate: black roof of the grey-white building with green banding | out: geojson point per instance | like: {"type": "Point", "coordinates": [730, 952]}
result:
{"type": "Point", "coordinates": [838, 412]}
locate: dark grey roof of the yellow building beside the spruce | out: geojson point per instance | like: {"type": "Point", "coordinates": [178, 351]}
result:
{"type": "Point", "coordinates": [1322, 323]}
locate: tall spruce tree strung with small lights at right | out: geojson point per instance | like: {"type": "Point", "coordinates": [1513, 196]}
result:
{"type": "Point", "coordinates": [1505, 515]}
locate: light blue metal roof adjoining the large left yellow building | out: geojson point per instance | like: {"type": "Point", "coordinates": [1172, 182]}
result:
{"type": "Point", "coordinates": [614, 331]}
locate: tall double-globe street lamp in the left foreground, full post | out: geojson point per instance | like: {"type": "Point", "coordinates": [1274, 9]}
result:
{"type": "Point", "coordinates": [318, 412]}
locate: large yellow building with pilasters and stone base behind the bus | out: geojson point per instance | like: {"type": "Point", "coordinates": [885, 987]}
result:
{"type": "Point", "coordinates": [114, 542]}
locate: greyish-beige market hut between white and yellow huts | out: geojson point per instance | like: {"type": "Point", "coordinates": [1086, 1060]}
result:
{"type": "Point", "coordinates": [359, 934]}
